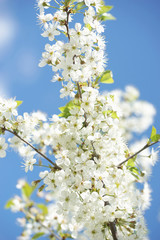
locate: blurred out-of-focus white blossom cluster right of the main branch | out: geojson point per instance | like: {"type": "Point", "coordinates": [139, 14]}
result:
{"type": "Point", "coordinates": [137, 115]}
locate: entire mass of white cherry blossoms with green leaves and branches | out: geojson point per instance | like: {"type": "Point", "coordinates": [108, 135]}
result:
{"type": "Point", "coordinates": [91, 174]}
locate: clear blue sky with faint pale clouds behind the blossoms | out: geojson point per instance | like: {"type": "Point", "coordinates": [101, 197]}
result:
{"type": "Point", "coordinates": [134, 57]}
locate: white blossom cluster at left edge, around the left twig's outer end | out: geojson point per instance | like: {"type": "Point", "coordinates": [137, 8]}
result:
{"type": "Point", "coordinates": [25, 126]}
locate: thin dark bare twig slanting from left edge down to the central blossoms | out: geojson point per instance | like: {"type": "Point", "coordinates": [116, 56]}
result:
{"type": "Point", "coordinates": [35, 149]}
